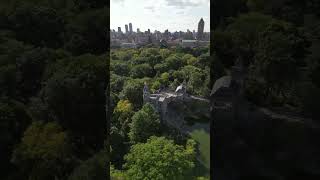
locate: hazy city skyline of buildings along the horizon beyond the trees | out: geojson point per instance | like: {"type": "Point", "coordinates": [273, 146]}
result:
{"type": "Point", "coordinates": [131, 39]}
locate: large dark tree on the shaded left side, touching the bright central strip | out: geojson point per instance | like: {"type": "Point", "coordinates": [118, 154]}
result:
{"type": "Point", "coordinates": [74, 95]}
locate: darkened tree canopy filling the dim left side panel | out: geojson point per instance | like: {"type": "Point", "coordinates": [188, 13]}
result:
{"type": "Point", "coordinates": [47, 75]}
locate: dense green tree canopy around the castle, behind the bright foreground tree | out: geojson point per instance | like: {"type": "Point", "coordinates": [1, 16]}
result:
{"type": "Point", "coordinates": [160, 69]}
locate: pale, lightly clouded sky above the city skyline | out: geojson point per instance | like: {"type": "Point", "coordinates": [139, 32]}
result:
{"type": "Point", "coordinates": [174, 15]}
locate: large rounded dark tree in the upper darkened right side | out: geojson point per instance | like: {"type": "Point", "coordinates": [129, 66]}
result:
{"type": "Point", "coordinates": [281, 51]}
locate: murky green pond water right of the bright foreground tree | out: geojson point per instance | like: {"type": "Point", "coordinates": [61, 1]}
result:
{"type": "Point", "coordinates": [203, 138]}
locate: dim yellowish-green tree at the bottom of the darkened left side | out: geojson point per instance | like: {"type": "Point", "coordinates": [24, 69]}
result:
{"type": "Point", "coordinates": [44, 151]}
